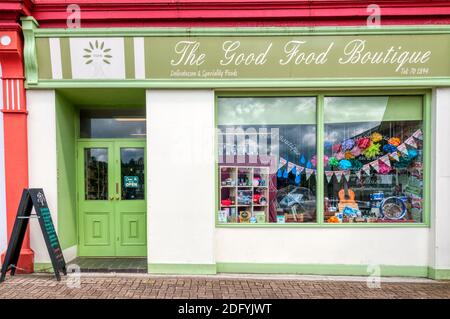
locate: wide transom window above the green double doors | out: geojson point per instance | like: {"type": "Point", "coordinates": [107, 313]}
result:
{"type": "Point", "coordinates": [112, 123]}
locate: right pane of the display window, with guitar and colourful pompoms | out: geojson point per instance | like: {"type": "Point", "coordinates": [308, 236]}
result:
{"type": "Point", "coordinates": [373, 158]}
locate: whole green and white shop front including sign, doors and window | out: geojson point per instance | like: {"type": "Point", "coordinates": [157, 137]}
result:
{"type": "Point", "coordinates": [269, 150]}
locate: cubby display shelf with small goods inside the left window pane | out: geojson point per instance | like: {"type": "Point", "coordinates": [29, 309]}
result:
{"type": "Point", "coordinates": [243, 184]}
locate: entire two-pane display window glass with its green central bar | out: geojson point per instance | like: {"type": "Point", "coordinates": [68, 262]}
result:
{"type": "Point", "coordinates": [369, 168]}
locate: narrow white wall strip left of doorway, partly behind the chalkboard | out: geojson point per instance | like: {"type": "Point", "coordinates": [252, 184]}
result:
{"type": "Point", "coordinates": [42, 159]}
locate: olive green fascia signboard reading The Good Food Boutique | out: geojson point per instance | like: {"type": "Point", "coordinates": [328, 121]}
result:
{"type": "Point", "coordinates": [283, 57]}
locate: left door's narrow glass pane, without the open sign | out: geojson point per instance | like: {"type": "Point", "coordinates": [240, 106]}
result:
{"type": "Point", "coordinates": [96, 173]}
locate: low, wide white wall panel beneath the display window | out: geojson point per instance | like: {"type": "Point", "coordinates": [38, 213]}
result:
{"type": "Point", "coordinates": [350, 246]}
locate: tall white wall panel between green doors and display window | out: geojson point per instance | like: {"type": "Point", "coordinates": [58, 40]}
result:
{"type": "Point", "coordinates": [180, 166]}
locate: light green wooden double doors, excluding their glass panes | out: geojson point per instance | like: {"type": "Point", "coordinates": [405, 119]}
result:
{"type": "Point", "coordinates": [110, 246]}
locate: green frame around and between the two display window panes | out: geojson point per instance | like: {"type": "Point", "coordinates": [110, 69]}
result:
{"type": "Point", "coordinates": [320, 129]}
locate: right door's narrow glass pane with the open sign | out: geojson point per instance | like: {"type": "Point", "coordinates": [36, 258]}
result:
{"type": "Point", "coordinates": [132, 173]}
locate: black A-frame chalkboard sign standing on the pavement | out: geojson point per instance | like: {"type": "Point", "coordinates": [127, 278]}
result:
{"type": "Point", "coordinates": [33, 197]}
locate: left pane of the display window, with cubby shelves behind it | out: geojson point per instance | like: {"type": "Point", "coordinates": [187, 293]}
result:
{"type": "Point", "coordinates": [254, 135]}
